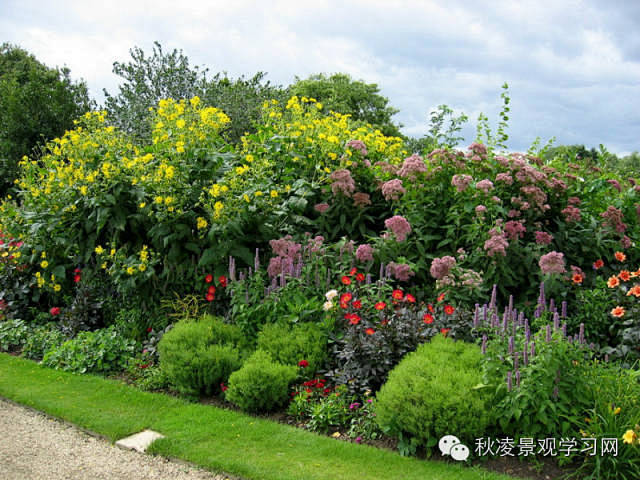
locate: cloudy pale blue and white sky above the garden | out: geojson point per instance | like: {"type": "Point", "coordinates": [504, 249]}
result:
{"type": "Point", "coordinates": [573, 66]}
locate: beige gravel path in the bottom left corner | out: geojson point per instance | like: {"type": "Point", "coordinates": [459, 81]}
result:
{"type": "Point", "coordinates": [36, 447]}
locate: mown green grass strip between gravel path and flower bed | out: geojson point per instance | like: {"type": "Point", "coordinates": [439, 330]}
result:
{"type": "Point", "coordinates": [214, 438]}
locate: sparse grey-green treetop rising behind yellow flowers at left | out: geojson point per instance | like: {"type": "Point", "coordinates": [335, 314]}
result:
{"type": "Point", "coordinates": [145, 81]}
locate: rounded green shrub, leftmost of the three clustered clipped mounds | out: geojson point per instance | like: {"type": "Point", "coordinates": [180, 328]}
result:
{"type": "Point", "coordinates": [199, 356]}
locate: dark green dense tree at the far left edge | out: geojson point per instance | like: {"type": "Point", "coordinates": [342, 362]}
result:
{"type": "Point", "coordinates": [37, 103]}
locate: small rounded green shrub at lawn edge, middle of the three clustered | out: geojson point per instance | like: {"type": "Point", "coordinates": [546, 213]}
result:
{"type": "Point", "coordinates": [262, 384]}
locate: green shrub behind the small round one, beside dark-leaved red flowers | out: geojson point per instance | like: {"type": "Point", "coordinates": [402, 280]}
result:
{"type": "Point", "coordinates": [290, 344]}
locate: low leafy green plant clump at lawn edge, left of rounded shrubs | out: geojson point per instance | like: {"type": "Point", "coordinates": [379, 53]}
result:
{"type": "Point", "coordinates": [103, 351]}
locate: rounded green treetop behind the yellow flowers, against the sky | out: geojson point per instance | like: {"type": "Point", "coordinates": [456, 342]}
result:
{"type": "Point", "coordinates": [339, 92]}
